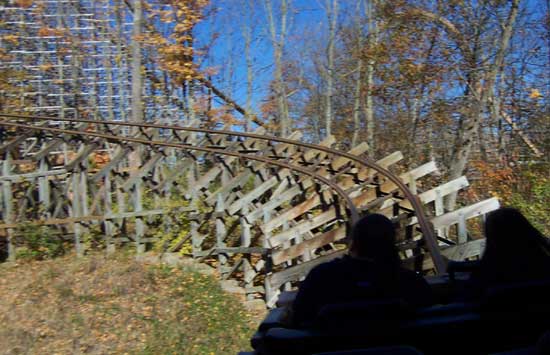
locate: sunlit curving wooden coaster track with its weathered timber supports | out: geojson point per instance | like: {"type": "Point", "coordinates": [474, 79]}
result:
{"type": "Point", "coordinates": [263, 209]}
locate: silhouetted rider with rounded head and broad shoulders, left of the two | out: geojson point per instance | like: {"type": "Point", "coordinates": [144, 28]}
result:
{"type": "Point", "coordinates": [371, 271]}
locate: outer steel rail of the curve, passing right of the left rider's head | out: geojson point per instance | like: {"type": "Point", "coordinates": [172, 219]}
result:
{"type": "Point", "coordinates": [425, 226]}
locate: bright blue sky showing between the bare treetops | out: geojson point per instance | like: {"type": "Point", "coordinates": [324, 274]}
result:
{"type": "Point", "coordinates": [308, 20]}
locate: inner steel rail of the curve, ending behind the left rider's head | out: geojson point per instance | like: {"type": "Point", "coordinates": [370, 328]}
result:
{"type": "Point", "coordinates": [353, 210]}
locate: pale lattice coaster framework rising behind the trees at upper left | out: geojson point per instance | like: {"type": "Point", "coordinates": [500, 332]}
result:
{"type": "Point", "coordinates": [73, 58]}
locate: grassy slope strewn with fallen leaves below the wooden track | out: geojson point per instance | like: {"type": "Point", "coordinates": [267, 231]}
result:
{"type": "Point", "coordinates": [96, 305]}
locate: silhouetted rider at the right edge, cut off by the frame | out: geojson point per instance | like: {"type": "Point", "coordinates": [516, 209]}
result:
{"type": "Point", "coordinates": [515, 251]}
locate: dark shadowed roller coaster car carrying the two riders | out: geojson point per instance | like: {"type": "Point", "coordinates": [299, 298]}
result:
{"type": "Point", "coordinates": [507, 317]}
